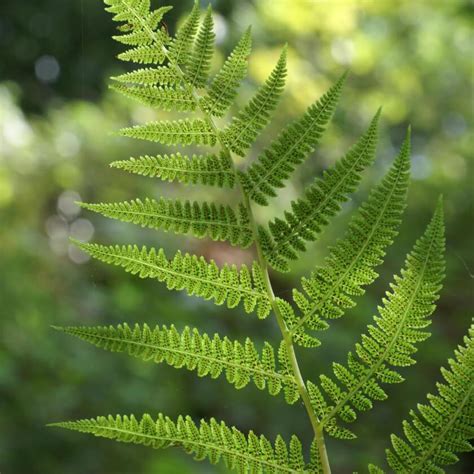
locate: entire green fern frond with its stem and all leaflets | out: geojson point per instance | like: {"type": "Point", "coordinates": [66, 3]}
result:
{"type": "Point", "coordinates": [175, 77]}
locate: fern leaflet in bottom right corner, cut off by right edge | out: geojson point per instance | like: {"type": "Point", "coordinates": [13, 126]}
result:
{"type": "Point", "coordinates": [445, 425]}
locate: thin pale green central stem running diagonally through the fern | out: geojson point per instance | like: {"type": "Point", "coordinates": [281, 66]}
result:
{"type": "Point", "coordinates": [315, 423]}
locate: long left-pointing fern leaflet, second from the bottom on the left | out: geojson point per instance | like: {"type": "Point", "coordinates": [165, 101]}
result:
{"type": "Point", "coordinates": [194, 351]}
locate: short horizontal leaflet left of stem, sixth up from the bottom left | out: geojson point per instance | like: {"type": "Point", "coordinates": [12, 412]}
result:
{"type": "Point", "coordinates": [172, 132]}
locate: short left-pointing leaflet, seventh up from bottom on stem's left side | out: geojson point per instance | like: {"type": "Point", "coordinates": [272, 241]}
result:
{"type": "Point", "coordinates": [165, 98]}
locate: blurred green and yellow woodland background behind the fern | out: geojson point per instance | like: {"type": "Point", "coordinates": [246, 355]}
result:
{"type": "Point", "coordinates": [56, 119]}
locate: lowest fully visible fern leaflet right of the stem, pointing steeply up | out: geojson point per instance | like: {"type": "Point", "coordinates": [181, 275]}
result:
{"type": "Point", "coordinates": [393, 338]}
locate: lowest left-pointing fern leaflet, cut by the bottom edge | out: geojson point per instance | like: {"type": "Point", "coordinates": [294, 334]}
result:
{"type": "Point", "coordinates": [209, 440]}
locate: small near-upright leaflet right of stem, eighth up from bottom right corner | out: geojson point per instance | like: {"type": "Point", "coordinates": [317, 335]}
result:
{"type": "Point", "coordinates": [199, 64]}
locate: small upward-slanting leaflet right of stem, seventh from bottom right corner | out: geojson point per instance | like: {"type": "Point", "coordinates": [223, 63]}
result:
{"type": "Point", "coordinates": [224, 87]}
